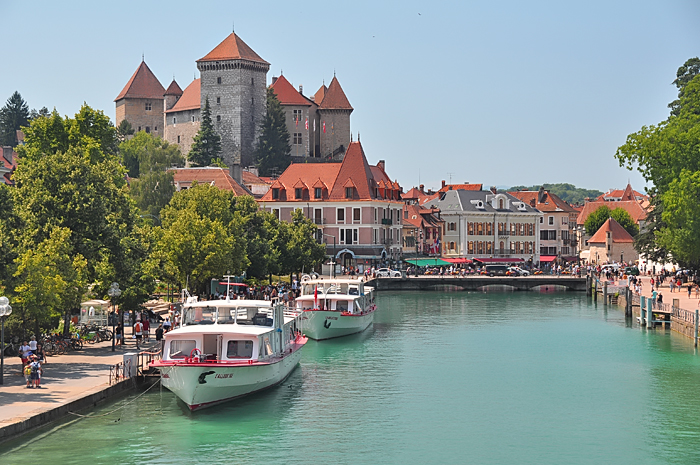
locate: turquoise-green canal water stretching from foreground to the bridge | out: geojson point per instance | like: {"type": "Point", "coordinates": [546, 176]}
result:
{"type": "Point", "coordinates": [442, 377]}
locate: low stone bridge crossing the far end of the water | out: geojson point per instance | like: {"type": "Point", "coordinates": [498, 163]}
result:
{"type": "Point", "coordinates": [472, 283]}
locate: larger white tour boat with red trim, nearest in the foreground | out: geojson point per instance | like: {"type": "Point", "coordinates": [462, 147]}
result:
{"type": "Point", "coordinates": [228, 348]}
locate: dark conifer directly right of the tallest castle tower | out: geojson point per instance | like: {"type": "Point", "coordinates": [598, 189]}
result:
{"type": "Point", "coordinates": [273, 149]}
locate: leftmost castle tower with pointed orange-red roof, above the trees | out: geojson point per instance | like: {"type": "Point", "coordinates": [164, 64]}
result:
{"type": "Point", "coordinates": [141, 102]}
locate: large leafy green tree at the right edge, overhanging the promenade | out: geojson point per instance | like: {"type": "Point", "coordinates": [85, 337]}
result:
{"type": "Point", "coordinates": [668, 155]}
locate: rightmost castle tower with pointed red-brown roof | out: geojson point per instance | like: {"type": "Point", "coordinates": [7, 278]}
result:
{"type": "Point", "coordinates": [334, 114]}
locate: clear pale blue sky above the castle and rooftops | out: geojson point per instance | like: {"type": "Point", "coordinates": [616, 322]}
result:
{"type": "Point", "coordinates": [499, 93]}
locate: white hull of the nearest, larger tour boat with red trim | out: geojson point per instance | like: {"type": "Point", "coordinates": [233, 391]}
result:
{"type": "Point", "coordinates": [224, 382]}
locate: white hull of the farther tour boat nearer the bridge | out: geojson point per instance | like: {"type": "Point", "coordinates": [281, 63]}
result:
{"type": "Point", "coordinates": [323, 324]}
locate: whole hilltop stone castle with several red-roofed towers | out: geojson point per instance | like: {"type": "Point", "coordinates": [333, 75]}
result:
{"type": "Point", "coordinates": [234, 80]}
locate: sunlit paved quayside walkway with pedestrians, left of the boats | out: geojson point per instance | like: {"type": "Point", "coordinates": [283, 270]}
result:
{"type": "Point", "coordinates": [66, 378]}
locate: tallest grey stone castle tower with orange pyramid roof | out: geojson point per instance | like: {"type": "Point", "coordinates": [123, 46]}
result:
{"type": "Point", "coordinates": [234, 79]}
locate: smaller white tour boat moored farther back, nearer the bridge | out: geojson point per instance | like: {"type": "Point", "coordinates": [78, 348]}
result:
{"type": "Point", "coordinates": [335, 307]}
